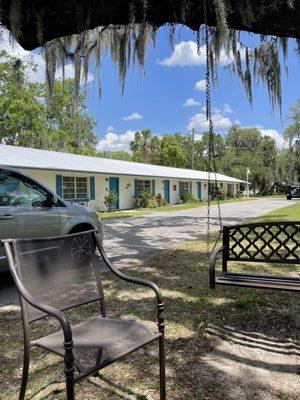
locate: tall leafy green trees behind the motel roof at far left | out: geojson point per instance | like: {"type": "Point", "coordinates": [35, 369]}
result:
{"type": "Point", "coordinates": [28, 117]}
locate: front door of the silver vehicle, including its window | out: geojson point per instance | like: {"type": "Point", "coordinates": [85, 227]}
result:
{"type": "Point", "coordinates": [25, 210]}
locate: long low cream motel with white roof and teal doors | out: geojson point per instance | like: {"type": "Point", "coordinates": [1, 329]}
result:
{"type": "Point", "coordinates": [87, 179]}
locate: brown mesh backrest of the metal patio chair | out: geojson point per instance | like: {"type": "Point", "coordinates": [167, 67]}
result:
{"type": "Point", "coordinates": [60, 271]}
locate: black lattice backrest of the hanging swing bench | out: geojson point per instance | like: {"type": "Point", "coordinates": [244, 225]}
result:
{"type": "Point", "coordinates": [274, 242]}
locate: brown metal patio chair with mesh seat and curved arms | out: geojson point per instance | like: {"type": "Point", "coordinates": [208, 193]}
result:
{"type": "Point", "coordinates": [58, 273]}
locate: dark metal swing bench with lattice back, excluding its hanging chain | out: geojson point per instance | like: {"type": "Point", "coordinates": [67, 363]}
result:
{"type": "Point", "coordinates": [267, 243]}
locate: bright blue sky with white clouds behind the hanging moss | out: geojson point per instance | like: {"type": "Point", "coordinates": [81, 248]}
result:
{"type": "Point", "coordinates": [169, 95]}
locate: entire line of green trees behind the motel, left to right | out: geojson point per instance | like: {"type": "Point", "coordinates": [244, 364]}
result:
{"type": "Point", "coordinates": [29, 117]}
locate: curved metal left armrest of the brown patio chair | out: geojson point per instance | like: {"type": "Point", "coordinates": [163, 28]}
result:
{"type": "Point", "coordinates": [59, 315]}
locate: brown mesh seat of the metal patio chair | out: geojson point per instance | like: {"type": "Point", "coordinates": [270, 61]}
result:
{"type": "Point", "coordinates": [100, 341]}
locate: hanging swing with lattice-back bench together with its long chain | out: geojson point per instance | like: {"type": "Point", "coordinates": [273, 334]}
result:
{"type": "Point", "coordinates": [261, 242]}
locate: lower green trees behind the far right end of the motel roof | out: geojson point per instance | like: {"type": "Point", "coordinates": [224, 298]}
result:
{"type": "Point", "coordinates": [239, 149]}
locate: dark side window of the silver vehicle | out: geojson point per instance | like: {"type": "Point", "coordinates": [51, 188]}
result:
{"type": "Point", "coordinates": [17, 191]}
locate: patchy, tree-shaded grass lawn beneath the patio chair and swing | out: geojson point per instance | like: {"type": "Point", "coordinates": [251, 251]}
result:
{"type": "Point", "coordinates": [198, 321]}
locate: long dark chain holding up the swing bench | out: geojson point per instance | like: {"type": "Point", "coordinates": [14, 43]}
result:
{"type": "Point", "coordinates": [211, 145]}
